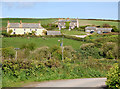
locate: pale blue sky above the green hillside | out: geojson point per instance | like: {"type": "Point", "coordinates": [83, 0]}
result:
{"type": "Point", "coordinates": [82, 10]}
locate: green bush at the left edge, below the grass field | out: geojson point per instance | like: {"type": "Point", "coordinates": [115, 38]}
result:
{"type": "Point", "coordinates": [8, 52]}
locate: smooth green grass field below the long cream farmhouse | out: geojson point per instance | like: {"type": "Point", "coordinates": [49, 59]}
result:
{"type": "Point", "coordinates": [19, 41]}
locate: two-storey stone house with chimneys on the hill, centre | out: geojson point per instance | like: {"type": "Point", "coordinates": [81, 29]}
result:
{"type": "Point", "coordinates": [73, 23]}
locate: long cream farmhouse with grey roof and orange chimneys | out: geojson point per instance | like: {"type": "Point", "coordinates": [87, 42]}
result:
{"type": "Point", "coordinates": [24, 28]}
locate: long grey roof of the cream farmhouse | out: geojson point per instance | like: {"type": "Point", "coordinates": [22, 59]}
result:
{"type": "Point", "coordinates": [24, 25]}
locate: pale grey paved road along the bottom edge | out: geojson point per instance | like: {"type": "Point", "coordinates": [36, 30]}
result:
{"type": "Point", "coordinates": [86, 82]}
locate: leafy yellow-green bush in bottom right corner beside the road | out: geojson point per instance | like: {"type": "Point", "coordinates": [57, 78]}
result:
{"type": "Point", "coordinates": [113, 77]}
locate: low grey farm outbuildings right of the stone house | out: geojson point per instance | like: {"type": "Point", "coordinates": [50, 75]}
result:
{"type": "Point", "coordinates": [98, 30]}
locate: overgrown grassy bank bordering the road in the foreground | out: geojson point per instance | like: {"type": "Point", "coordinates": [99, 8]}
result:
{"type": "Point", "coordinates": [66, 70]}
